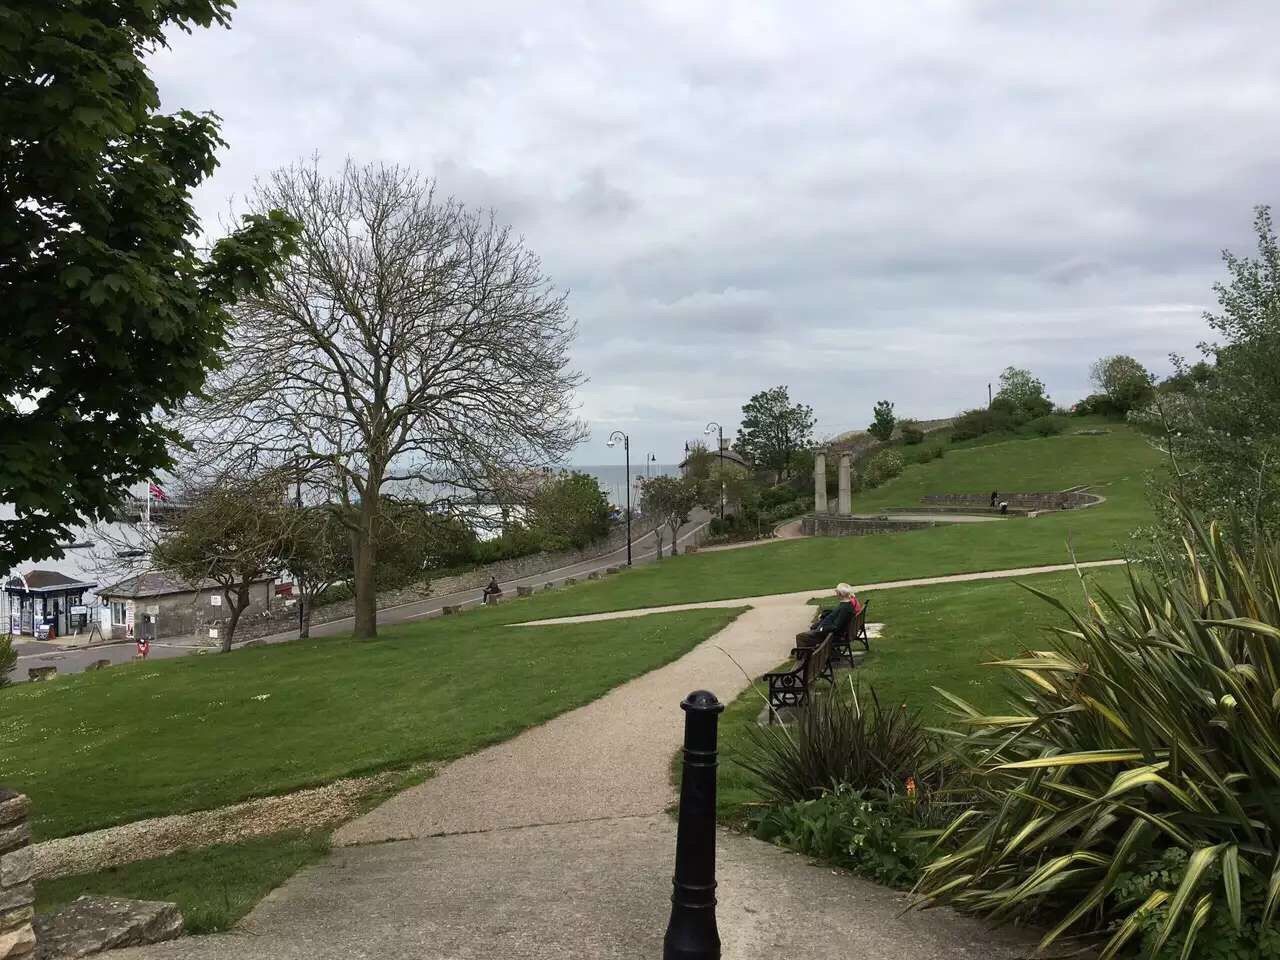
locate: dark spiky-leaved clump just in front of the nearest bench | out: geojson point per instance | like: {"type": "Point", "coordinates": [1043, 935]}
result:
{"type": "Point", "coordinates": [842, 739]}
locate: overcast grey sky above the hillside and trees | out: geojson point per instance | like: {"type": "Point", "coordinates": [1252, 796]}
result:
{"type": "Point", "coordinates": [860, 200]}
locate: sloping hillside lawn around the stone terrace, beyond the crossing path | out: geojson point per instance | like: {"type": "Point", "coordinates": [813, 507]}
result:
{"type": "Point", "coordinates": [1116, 464]}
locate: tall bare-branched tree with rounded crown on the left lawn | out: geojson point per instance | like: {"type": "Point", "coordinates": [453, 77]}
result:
{"type": "Point", "coordinates": [410, 342]}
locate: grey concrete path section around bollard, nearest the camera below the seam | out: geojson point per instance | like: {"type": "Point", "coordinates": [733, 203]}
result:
{"type": "Point", "coordinates": [595, 890]}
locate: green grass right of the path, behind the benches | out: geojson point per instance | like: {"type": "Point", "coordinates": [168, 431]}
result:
{"type": "Point", "coordinates": [935, 637]}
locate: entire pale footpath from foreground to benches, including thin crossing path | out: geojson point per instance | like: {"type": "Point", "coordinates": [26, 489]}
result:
{"type": "Point", "coordinates": [556, 844]}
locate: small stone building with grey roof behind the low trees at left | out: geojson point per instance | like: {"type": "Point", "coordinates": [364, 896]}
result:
{"type": "Point", "coordinates": [161, 606]}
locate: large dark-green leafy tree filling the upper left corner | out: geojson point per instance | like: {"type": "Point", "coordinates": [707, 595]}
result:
{"type": "Point", "coordinates": [112, 316]}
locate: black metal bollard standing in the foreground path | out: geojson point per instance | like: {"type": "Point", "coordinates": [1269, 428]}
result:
{"type": "Point", "coordinates": [692, 932]}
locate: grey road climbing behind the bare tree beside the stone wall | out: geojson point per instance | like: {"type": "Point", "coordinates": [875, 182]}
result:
{"type": "Point", "coordinates": [74, 660]}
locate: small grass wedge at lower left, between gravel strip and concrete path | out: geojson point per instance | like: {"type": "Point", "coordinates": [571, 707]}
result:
{"type": "Point", "coordinates": [214, 888]}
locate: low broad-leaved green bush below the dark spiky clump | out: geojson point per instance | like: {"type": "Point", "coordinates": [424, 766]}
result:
{"type": "Point", "coordinates": [874, 834]}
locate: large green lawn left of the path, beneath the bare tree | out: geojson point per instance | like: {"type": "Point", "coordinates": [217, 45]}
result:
{"type": "Point", "coordinates": [199, 733]}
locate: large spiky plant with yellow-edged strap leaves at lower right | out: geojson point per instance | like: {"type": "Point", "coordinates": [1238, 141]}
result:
{"type": "Point", "coordinates": [1153, 725]}
